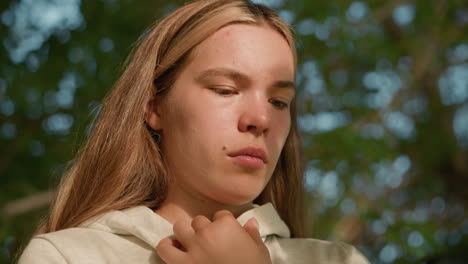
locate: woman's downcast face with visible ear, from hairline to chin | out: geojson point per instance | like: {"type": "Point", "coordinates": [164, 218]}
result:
{"type": "Point", "coordinates": [233, 93]}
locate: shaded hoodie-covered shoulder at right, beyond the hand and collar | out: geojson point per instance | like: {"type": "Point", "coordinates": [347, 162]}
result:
{"type": "Point", "coordinates": [305, 250]}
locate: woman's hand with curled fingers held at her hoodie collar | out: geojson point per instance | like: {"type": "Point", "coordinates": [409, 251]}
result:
{"type": "Point", "coordinates": [222, 241]}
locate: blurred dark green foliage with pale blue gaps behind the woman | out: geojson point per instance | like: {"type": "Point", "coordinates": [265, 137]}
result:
{"type": "Point", "coordinates": [383, 98]}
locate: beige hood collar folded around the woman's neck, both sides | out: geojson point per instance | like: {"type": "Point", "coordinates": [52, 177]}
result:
{"type": "Point", "coordinates": [142, 222]}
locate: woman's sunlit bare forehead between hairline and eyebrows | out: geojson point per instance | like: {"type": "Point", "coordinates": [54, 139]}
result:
{"type": "Point", "coordinates": [249, 48]}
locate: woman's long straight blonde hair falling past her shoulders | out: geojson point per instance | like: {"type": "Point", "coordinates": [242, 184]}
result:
{"type": "Point", "coordinates": [120, 164]}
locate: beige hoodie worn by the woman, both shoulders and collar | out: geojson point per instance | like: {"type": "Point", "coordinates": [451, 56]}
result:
{"type": "Point", "coordinates": [130, 236]}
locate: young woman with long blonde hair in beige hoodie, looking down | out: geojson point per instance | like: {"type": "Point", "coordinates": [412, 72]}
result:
{"type": "Point", "coordinates": [195, 156]}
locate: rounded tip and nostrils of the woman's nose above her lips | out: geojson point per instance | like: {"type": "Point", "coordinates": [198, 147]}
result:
{"type": "Point", "coordinates": [254, 118]}
